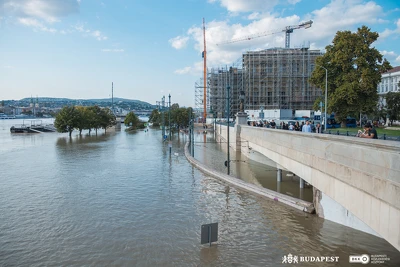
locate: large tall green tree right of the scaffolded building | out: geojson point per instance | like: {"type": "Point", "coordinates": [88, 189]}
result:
{"type": "Point", "coordinates": [354, 71]}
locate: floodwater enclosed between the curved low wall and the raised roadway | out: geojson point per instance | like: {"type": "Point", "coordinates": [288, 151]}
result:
{"type": "Point", "coordinates": [213, 153]}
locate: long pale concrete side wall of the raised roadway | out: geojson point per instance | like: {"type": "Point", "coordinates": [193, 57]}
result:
{"type": "Point", "coordinates": [362, 175]}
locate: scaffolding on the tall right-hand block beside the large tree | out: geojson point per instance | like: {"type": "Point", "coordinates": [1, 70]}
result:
{"type": "Point", "coordinates": [277, 78]}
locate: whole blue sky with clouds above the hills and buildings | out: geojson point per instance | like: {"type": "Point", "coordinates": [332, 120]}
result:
{"type": "Point", "coordinates": [76, 48]}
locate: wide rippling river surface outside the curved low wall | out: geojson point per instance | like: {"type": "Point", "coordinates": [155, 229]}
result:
{"type": "Point", "coordinates": [120, 199]}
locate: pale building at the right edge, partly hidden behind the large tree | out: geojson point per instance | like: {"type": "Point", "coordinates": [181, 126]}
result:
{"type": "Point", "coordinates": [389, 83]}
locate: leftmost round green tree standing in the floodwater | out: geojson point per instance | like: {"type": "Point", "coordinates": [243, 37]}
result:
{"type": "Point", "coordinates": [67, 120]}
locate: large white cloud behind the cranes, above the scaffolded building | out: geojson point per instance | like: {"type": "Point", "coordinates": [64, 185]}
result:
{"type": "Point", "coordinates": [338, 15]}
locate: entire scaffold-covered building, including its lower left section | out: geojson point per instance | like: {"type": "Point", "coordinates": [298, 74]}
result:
{"type": "Point", "coordinates": [276, 78]}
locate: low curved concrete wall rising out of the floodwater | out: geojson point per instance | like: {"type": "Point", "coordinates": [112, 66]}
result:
{"type": "Point", "coordinates": [264, 192]}
